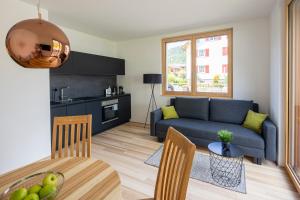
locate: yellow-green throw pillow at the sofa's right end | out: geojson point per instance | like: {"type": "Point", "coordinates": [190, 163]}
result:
{"type": "Point", "coordinates": [254, 121]}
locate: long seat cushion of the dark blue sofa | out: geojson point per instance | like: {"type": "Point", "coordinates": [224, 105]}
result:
{"type": "Point", "coordinates": [208, 130]}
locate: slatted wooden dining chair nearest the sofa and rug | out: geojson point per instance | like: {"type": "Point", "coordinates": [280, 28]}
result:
{"type": "Point", "coordinates": [175, 167]}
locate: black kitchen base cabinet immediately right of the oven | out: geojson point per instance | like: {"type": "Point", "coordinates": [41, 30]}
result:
{"type": "Point", "coordinates": [124, 108]}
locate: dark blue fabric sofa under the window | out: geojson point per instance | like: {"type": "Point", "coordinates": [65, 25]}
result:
{"type": "Point", "coordinates": [201, 118]}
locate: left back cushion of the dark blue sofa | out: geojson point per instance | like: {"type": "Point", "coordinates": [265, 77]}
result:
{"type": "Point", "coordinates": [196, 108]}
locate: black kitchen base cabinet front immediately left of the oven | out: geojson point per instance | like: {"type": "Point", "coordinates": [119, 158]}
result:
{"type": "Point", "coordinates": [94, 108]}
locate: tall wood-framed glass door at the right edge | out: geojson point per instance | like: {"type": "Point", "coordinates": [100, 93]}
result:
{"type": "Point", "coordinates": [293, 93]}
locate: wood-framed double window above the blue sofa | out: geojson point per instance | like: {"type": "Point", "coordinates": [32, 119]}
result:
{"type": "Point", "coordinates": [198, 64]}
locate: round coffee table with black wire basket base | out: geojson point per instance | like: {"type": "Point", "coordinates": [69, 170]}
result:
{"type": "Point", "coordinates": [225, 164]}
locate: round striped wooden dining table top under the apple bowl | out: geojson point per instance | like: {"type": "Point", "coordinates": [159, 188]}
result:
{"type": "Point", "coordinates": [85, 178]}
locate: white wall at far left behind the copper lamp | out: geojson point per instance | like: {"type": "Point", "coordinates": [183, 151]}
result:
{"type": "Point", "coordinates": [24, 101]}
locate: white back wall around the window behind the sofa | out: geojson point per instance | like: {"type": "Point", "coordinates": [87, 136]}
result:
{"type": "Point", "coordinates": [251, 58]}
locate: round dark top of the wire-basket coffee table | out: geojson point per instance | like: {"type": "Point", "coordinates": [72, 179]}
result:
{"type": "Point", "coordinates": [232, 152]}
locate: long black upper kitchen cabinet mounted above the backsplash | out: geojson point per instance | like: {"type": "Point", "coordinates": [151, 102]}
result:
{"type": "Point", "coordinates": [89, 64]}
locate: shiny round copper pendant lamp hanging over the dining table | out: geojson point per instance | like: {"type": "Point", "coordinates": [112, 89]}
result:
{"type": "Point", "coordinates": [36, 43]}
